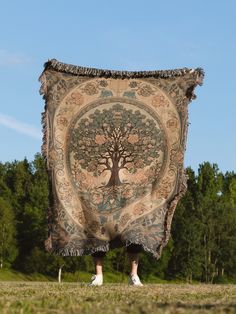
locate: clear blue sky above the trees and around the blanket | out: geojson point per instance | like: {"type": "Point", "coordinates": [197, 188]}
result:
{"type": "Point", "coordinates": [130, 35]}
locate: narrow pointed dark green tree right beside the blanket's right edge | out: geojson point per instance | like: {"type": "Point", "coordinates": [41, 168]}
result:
{"type": "Point", "coordinates": [185, 260]}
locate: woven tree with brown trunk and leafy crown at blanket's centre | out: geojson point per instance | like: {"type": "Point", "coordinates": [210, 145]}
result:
{"type": "Point", "coordinates": [114, 139]}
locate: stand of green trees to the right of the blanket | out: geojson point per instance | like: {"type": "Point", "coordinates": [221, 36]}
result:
{"type": "Point", "coordinates": [204, 228]}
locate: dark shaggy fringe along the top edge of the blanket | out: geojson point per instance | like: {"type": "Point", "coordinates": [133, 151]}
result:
{"type": "Point", "coordinates": [93, 72]}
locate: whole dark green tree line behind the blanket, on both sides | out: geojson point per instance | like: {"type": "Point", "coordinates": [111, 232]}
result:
{"type": "Point", "coordinates": [202, 246]}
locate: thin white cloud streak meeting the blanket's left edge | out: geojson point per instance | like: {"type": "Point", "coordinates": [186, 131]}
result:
{"type": "Point", "coordinates": [20, 127]}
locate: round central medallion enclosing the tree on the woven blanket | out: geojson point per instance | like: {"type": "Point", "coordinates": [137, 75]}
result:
{"type": "Point", "coordinates": [116, 150]}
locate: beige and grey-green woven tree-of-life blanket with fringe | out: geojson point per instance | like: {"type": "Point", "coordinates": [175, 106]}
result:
{"type": "Point", "coordinates": [114, 144]}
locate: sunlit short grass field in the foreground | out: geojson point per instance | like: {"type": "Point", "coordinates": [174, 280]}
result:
{"type": "Point", "coordinates": [52, 297]}
